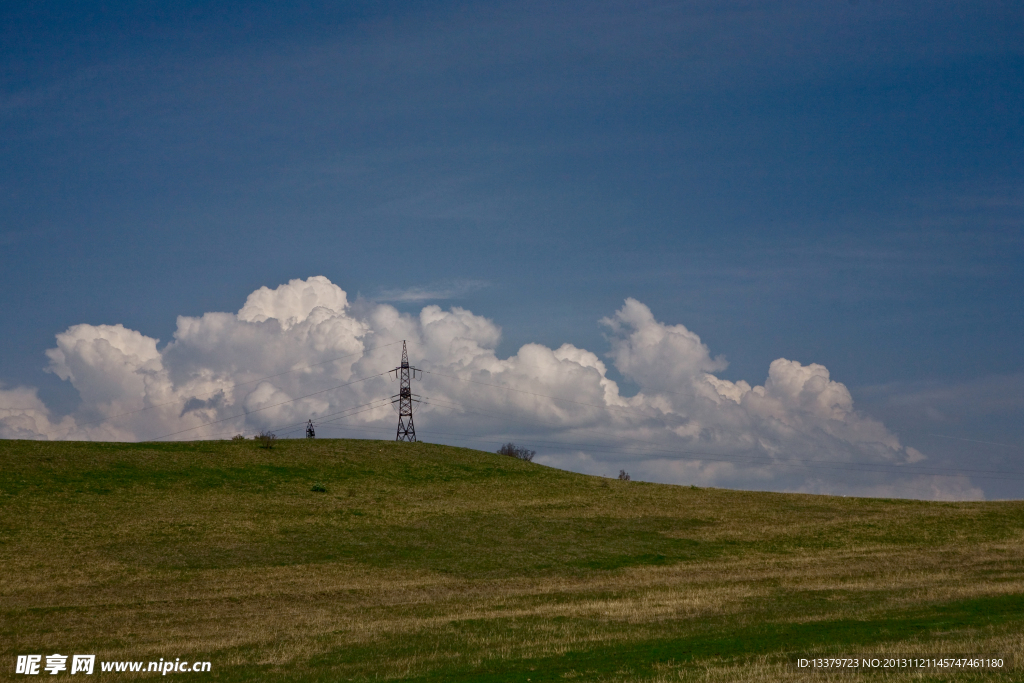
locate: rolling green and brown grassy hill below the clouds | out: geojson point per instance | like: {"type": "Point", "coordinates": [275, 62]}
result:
{"type": "Point", "coordinates": [333, 561]}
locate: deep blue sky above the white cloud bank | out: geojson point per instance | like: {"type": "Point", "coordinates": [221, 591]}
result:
{"type": "Point", "coordinates": [839, 184]}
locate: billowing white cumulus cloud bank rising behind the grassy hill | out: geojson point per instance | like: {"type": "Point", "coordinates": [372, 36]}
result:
{"type": "Point", "coordinates": [303, 351]}
